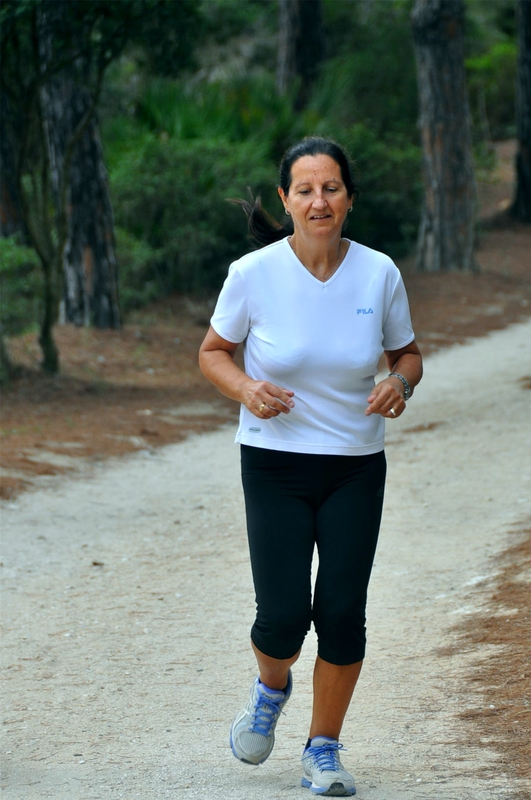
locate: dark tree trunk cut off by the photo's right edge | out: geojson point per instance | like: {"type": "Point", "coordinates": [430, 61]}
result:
{"type": "Point", "coordinates": [521, 208]}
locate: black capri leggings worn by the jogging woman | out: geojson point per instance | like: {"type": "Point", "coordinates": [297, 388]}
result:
{"type": "Point", "coordinates": [295, 501]}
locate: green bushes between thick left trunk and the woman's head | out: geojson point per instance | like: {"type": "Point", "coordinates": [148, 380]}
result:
{"type": "Point", "coordinates": [172, 168]}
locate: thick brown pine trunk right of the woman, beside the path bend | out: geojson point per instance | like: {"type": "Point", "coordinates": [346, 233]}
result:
{"type": "Point", "coordinates": [446, 232]}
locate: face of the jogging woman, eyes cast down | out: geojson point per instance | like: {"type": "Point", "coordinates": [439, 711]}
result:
{"type": "Point", "coordinates": [317, 198]}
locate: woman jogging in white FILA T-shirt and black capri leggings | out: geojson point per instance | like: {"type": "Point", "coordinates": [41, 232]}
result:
{"type": "Point", "coordinates": [314, 312]}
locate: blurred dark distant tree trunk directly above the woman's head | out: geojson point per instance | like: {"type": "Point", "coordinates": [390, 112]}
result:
{"type": "Point", "coordinates": [301, 47]}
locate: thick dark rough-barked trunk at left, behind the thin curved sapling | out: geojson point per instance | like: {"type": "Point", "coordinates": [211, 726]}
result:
{"type": "Point", "coordinates": [90, 292]}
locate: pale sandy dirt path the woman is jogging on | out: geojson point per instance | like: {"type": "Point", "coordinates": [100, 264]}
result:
{"type": "Point", "coordinates": [127, 601]}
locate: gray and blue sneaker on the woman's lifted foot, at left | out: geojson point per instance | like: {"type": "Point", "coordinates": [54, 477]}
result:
{"type": "Point", "coordinates": [252, 734]}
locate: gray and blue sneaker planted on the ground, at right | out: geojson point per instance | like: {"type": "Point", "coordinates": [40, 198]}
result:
{"type": "Point", "coordinates": [323, 771]}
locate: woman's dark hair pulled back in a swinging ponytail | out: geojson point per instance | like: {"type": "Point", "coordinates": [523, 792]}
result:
{"type": "Point", "coordinates": [265, 228]}
